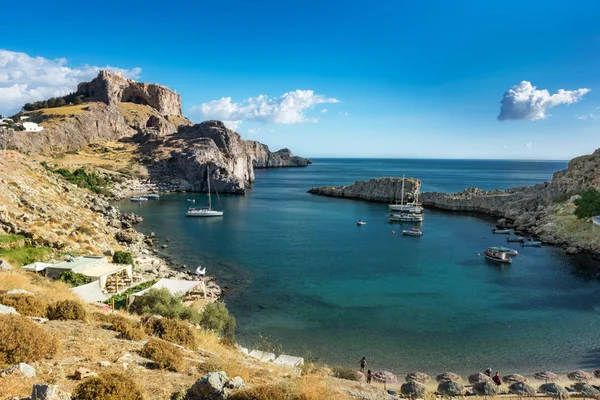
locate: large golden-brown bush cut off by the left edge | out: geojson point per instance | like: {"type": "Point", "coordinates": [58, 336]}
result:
{"type": "Point", "coordinates": [24, 341]}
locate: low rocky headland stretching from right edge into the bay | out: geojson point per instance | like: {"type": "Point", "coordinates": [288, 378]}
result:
{"type": "Point", "coordinates": [544, 210]}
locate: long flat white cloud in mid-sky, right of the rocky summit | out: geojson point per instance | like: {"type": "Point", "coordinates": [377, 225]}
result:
{"type": "Point", "coordinates": [289, 108]}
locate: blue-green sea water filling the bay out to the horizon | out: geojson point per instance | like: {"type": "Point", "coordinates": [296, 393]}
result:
{"type": "Point", "coordinates": [302, 273]}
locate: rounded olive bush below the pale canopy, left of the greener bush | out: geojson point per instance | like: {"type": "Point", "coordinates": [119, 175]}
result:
{"type": "Point", "coordinates": [162, 302]}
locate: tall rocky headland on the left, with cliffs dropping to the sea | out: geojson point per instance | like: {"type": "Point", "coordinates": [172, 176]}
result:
{"type": "Point", "coordinates": [172, 151]}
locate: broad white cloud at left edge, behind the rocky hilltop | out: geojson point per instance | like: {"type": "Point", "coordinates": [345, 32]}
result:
{"type": "Point", "coordinates": [24, 78]}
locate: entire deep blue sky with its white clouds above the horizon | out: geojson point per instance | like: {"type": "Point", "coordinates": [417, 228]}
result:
{"type": "Point", "coordinates": [399, 79]}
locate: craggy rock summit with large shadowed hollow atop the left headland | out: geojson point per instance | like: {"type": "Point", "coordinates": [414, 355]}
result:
{"type": "Point", "coordinates": [111, 88]}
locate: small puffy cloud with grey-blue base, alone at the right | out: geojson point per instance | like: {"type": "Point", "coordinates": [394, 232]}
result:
{"type": "Point", "coordinates": [524, 101]}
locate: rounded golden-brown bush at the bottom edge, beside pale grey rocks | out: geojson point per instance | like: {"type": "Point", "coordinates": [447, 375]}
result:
{"type": "Point", "coordinates": [108, 386]}
